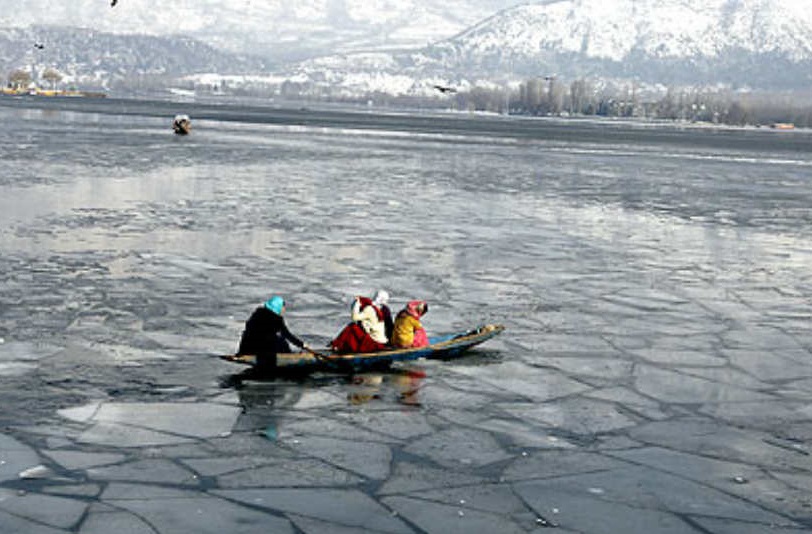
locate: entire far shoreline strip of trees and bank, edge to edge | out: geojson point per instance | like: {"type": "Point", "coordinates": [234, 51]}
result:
{"type": "Point", "coordinates": [762, 110]}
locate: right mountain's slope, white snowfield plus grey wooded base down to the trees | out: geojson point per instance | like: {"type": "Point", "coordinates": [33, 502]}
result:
{"type": "Point", "coordinates": [758, 42]}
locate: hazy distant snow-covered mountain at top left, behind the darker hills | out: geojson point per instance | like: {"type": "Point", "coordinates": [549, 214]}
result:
{"type": "Point", "coordinates": [275, 29]}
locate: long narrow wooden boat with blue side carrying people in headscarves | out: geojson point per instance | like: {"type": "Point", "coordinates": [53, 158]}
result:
{"type": "Point", "coordinates": [440, 347]}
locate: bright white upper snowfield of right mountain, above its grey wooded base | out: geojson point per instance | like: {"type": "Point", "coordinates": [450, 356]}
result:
{"type": "Point", "coordinates": [618, 29]}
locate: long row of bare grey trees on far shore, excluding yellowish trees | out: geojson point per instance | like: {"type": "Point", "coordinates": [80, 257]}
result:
{"type": "Point", "coordinates": [544, 98]}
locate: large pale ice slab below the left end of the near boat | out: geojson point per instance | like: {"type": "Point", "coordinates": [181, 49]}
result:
{"type": "Point", "coordinates": [144, 424]}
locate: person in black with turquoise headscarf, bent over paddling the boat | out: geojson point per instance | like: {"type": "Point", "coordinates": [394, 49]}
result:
{"type": "Point", "coordinates": [266, 334]}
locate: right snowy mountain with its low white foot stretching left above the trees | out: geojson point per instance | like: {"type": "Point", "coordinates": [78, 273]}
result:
{"type": "Point", "coordinates": [734, 43]}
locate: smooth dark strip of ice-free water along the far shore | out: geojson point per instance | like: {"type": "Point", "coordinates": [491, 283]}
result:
{"type": "Point", "coordinates": [588, 129]}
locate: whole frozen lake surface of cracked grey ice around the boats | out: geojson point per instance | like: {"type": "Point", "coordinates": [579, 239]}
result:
{"type": "Point", "coordinates": [655, 281]}
